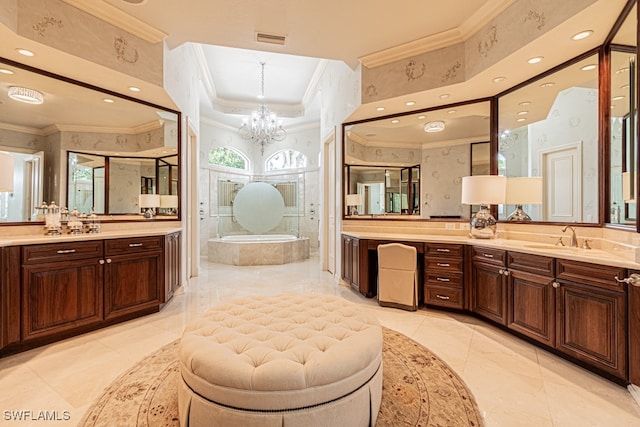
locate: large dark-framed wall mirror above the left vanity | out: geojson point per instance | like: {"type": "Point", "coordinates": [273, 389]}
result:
{"type": "Point", "coordinates": [64, 116]}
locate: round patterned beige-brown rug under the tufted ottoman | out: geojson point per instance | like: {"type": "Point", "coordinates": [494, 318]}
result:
{"type": "Point", "coordinates": [418, 389]}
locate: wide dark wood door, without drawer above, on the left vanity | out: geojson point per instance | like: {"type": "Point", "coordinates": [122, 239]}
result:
{"type": "Point", "coordinates": [60, 297]}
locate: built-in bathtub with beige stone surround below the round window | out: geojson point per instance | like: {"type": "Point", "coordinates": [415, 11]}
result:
{"type": "Point", "coordinates": [262, 249]}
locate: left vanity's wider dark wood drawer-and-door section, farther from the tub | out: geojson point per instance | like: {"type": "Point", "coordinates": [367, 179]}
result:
{"type": "Point", "coordinates": [62, 286]}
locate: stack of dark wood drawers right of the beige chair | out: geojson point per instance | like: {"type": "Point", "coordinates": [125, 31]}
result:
{"type": "Point", "coordinates": [444, 275]}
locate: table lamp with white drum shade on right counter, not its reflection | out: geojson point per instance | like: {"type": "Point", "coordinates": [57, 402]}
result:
{"type": "Point", "coordinates": [483, 190]}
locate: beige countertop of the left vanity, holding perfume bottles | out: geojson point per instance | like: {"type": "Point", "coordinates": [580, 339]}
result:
{"type": "Point", "coordinates": [34, 239]}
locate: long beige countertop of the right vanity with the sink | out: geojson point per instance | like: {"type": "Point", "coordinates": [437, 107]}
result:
{"type": "Point", "coordinates": [597, 256]}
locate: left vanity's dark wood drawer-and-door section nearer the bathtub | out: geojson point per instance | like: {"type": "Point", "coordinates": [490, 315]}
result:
{"type": "Point", "coordinates": [134, 275]}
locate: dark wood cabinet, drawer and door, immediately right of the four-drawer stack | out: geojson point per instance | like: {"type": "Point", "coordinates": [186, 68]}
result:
{"type": "Point", "coordinates": [488, 283]}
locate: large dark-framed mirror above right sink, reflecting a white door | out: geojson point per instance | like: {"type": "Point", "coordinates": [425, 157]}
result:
{"type": "Point", "coordinates": [548, 128]}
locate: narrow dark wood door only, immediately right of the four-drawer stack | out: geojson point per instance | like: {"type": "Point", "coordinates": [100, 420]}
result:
{"type": "Point", "coordinates": [489, 292]}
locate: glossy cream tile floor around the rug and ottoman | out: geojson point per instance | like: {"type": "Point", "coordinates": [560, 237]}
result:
{"type": "Point", "coordinates": [514, 383]}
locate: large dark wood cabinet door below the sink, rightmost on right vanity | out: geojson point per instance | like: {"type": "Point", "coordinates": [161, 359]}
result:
{"type": "Point", "coordinates": [591, 326]}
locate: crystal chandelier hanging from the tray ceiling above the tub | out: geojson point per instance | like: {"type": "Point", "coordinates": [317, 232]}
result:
{"type": "Point", "coordinates": [263, 127]}
